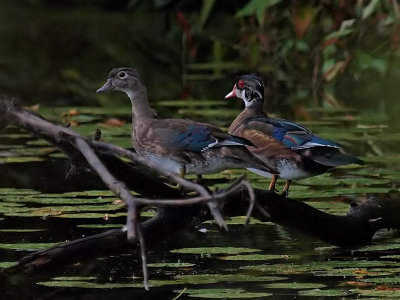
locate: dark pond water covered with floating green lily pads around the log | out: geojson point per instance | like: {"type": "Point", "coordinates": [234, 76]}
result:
{"type": "Point", "coordinates": [39, 207]}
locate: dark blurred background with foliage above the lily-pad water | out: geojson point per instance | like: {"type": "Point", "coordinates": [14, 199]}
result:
{"type": "Point", "coordinates": [311, 54]}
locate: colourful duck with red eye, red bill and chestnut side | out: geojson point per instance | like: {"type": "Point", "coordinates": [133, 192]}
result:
{"type": "Point", "coordinates": [309, 154]}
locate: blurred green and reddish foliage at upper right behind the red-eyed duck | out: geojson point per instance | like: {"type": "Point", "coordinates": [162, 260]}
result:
{"type": "Point", "coordinates": [320, 54]}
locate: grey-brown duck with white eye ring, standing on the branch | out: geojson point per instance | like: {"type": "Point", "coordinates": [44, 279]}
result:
{"type": "Point", "coordinates": [177, 145]}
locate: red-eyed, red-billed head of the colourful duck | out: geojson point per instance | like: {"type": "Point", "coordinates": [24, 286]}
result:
{"type": "Point", "coordinates": [249, 88]}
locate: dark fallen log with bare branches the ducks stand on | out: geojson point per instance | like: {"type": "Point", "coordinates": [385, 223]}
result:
{"type": "Point", "coordinates": [178, 211]}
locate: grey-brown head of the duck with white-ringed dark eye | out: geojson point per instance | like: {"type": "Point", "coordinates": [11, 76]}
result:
{"type": "Point", "coordinates": [123, 79]}
